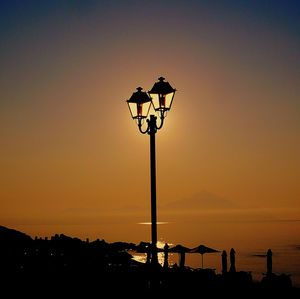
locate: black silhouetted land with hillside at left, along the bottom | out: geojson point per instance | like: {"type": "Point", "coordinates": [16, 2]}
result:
{"type": "Point", "coordinates": [65, 267]}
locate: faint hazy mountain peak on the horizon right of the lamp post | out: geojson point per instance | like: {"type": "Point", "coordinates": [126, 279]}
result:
{"type": "Point", "coordinates": [200, 201]}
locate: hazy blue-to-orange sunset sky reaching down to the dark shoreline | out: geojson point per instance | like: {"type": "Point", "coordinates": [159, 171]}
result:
{"type": "Point", "coordinates": [72, 159]}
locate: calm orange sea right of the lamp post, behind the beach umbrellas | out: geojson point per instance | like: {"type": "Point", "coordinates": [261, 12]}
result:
{"type": "Point", "coordinates": [250, 235]}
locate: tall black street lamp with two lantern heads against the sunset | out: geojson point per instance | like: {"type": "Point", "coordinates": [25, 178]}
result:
{"type": "Point", "coordinates": [161, 97]}
